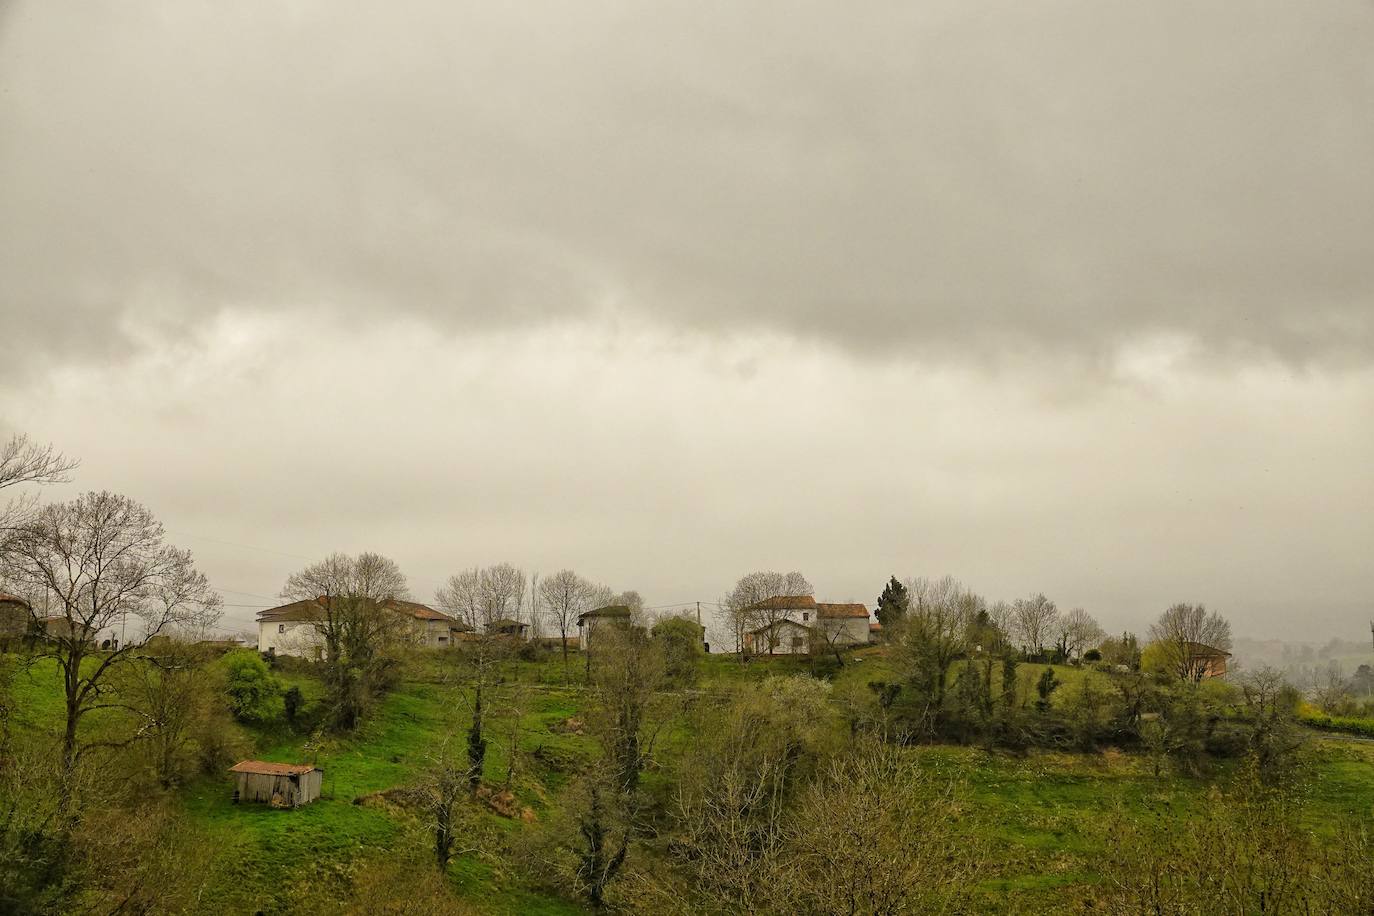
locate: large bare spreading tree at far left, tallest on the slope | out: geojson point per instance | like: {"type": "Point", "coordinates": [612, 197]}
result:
{"type": "Point", "coordinates": [104, 560]}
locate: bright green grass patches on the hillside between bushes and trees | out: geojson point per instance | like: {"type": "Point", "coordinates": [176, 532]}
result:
{"type": "Point", "coordinates": [1042, 816]}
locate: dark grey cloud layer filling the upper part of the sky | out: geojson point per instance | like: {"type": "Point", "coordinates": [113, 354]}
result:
{"type": "Point", "coordinates": [947, 176]}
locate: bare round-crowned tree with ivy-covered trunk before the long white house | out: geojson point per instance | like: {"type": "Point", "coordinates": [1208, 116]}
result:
{"type": "Point", "coordinates": [358, 627]}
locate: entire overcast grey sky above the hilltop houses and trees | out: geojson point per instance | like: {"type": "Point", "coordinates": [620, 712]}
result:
{"type": "Point", "coordinates": [1072, 297]}
